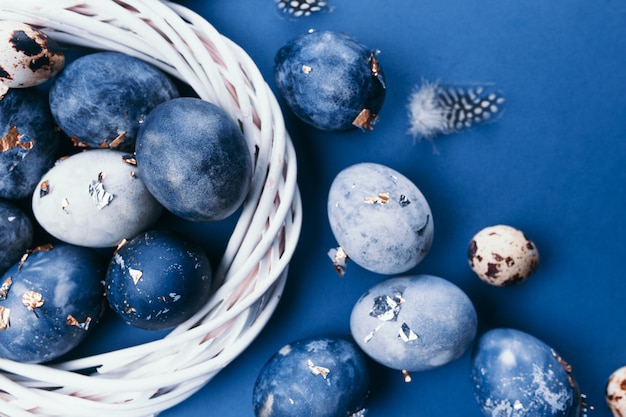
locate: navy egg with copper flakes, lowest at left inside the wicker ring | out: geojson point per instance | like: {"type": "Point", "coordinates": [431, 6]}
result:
{"type": "Point", "coordinates": [49, 302]}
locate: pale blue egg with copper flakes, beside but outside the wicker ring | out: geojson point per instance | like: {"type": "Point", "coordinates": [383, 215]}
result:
{"type": "Point", "coordinates": [380, 218]}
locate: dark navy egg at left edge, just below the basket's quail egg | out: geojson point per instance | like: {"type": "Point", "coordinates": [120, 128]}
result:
{"type": "Point", "coordinates": [30, 144]}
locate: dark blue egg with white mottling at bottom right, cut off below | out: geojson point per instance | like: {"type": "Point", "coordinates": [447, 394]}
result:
{"type": "Point", "coordinates": [515, 374]}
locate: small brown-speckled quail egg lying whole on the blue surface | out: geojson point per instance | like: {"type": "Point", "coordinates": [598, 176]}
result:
{"type": "Point", "coordinates": [502, 255]}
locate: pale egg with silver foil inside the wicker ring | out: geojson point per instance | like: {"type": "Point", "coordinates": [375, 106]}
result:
{"type": "Point", "coordinates": [95, 198]}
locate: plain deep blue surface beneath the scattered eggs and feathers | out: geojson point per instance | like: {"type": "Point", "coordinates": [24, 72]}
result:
{"type": "Point", "coordinates": [553, 165]}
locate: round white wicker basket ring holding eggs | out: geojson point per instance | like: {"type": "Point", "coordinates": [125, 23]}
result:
{"type": "Point", "coordinates": [146, 379]}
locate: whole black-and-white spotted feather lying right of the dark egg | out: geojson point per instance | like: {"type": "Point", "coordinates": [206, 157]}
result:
{"type": "Point", "coordinates": [435, 109]}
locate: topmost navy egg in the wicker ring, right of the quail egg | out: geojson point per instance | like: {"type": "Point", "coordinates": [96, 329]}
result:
{"type": "Point", "coordinates": [103, 95]}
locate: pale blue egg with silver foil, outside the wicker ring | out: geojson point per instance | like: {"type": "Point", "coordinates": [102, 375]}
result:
{"type": "Point", "coordinates": [414, 323]}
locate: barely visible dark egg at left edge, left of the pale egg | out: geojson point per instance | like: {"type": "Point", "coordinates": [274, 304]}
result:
{"type": "Point", "coordinates": [16, 234]}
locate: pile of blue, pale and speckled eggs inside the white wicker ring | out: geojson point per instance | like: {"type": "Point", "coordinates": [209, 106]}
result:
{"type": "Point", "coordinates": [99, 160]}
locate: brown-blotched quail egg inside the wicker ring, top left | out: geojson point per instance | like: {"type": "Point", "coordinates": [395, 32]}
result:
{"type": "Point", "coordinates": [28, 57]}
